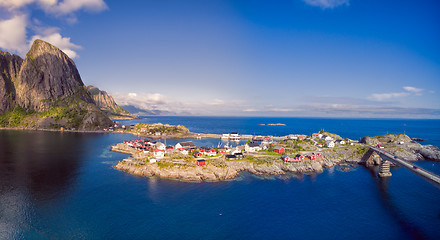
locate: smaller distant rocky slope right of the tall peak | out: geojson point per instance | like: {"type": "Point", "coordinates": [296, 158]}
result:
{"type": "Point", "coordinates": [106, 103]}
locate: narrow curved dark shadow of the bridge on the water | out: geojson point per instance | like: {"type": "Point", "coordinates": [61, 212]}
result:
{"type": "Point", "coordinates": [386, 198]}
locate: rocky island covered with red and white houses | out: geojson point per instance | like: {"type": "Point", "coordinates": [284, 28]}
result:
{"type": "Point", "coordinates": [289, 156]}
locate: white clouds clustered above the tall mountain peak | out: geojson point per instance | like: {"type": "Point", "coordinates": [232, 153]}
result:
{"type": "Point", "coordinates": [14, 30]}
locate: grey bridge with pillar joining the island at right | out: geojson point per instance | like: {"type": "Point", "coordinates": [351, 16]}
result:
{"type": "Point", "coordinates": [388, 157]}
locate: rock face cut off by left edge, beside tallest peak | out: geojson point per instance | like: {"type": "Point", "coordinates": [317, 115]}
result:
{"type": "Point", "coordinates": [9, 69]}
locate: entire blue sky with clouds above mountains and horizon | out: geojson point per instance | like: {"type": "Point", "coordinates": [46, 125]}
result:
{"type": "Point", "coordinates": [319, 58]}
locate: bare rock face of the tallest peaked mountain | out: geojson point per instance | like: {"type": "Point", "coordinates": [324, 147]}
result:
{"type": "Point", "coordinates": [48, 75]}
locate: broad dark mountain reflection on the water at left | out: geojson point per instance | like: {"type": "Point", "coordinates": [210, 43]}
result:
{"type": "Point", "coordinates": [43, 164]}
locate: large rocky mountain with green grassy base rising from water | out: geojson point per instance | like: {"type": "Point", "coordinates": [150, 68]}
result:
{"type": "Point", "coordinates": [45, 91]}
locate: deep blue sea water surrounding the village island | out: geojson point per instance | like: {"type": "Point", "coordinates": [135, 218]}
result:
{"type": "Point", "coordinates": [62, 186]}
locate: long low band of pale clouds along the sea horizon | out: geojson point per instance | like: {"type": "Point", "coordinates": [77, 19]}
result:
{"type": "Point", "coordinates": [333, 107]}
